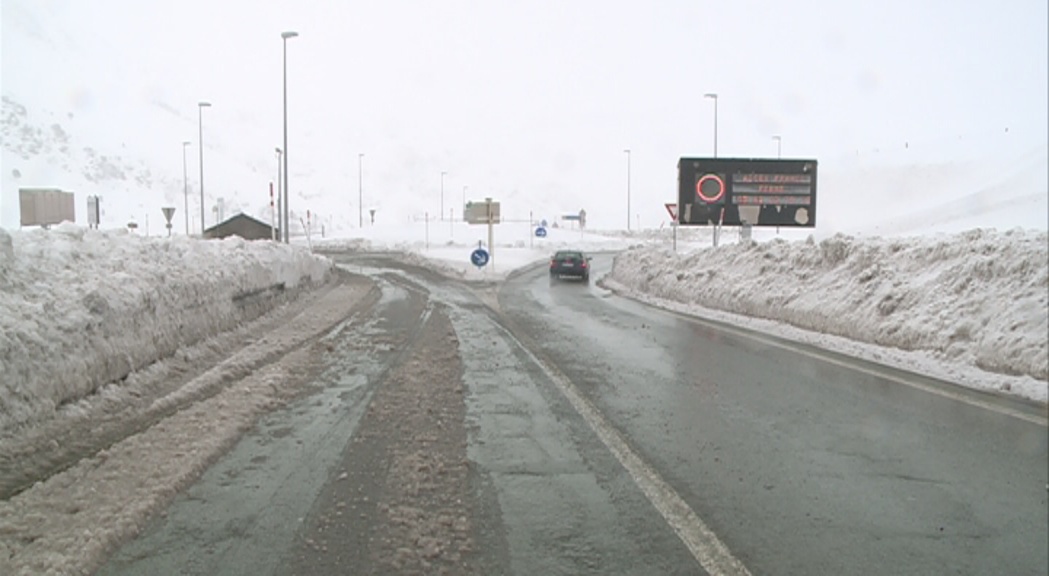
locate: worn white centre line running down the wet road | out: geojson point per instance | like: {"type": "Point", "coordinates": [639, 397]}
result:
{"type": "Point", "coordinates": [702, 543]}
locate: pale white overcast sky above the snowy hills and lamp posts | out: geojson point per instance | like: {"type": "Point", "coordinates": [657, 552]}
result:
{"type": "Point", "coordinates": [543, 97]}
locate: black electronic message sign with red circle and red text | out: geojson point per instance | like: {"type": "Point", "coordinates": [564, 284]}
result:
{"type": "Point", "coordinates": [752, 191]}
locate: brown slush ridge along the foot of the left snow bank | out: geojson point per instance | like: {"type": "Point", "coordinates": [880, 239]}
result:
{"type": "Point", "coordinates": [70, 522]}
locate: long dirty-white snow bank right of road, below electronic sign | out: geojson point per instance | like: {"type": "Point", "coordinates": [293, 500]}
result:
{"type": "Point", "coordinates": [979, 298]}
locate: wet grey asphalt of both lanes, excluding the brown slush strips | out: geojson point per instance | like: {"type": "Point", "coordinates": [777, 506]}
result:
{"type": "Point", "coordinates": [696, 445]}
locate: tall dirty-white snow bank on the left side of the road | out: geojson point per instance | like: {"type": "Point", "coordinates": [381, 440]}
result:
{"type": "Point", "coordinates": [81, 308]}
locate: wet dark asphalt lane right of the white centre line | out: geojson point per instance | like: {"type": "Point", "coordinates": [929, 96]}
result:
{"type": "Point", "coordinates": [800, 464]}
